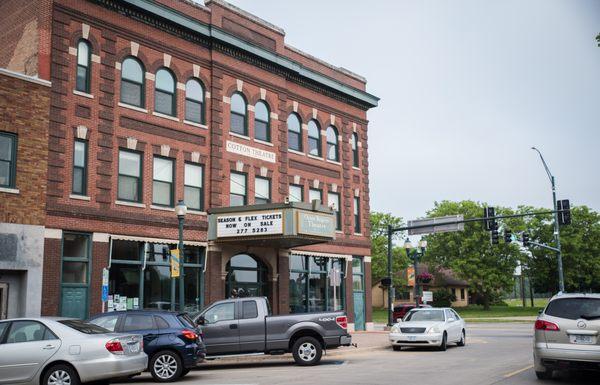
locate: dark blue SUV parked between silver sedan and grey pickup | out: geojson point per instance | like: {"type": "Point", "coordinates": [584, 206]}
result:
{"type": "Point", "coordinates": [172, 341]}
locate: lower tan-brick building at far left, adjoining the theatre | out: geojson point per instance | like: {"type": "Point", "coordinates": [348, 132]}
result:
{"type": "Point", "coordinates": [24, 107]}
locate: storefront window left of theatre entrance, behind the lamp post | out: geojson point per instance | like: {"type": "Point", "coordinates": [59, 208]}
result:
{"type": "Point", "coordinates": [140, 276]}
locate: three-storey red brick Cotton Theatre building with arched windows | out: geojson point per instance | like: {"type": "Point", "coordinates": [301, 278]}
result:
{"type": "Point", "coordinates": [153, 102]}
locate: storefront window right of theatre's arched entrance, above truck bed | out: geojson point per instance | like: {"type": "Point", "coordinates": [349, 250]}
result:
{"type": "Point", "coordinates": [316, 284]}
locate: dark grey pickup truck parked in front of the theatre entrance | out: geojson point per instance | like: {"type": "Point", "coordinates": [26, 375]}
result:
{"type": "Point", "coordinates": [244, 326]}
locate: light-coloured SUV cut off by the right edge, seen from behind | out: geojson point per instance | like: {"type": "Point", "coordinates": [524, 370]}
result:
{"type": "Point", "coordinates": [567, 335]}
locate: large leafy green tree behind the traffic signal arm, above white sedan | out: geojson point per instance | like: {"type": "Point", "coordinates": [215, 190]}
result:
{"type": "Point", "coordinates": [488, 269]}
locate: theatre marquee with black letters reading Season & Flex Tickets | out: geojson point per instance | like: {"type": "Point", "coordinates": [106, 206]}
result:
{"type": "Point", "coordinates": [292, 223]}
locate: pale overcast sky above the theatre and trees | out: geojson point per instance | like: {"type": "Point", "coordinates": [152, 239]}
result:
{"type": "Point", "coordinates": [467, 87]}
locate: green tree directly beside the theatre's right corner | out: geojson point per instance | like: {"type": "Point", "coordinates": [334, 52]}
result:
{"type": "Point", "coordinates": [379, 246]}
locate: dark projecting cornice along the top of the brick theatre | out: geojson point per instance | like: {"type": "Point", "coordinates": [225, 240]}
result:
{"type": "Point", "coordinates": [176, 23]}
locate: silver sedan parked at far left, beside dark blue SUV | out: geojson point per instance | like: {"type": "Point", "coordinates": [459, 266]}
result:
{"type": "Point", "coordinates": [54, 351]}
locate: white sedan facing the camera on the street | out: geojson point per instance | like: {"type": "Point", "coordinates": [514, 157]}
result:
{"type": "Point", "coordinates": [429, 327]}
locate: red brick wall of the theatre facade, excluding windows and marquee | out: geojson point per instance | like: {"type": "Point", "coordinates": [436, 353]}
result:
{"type": "Point", "coordinates": [108, 125]}
